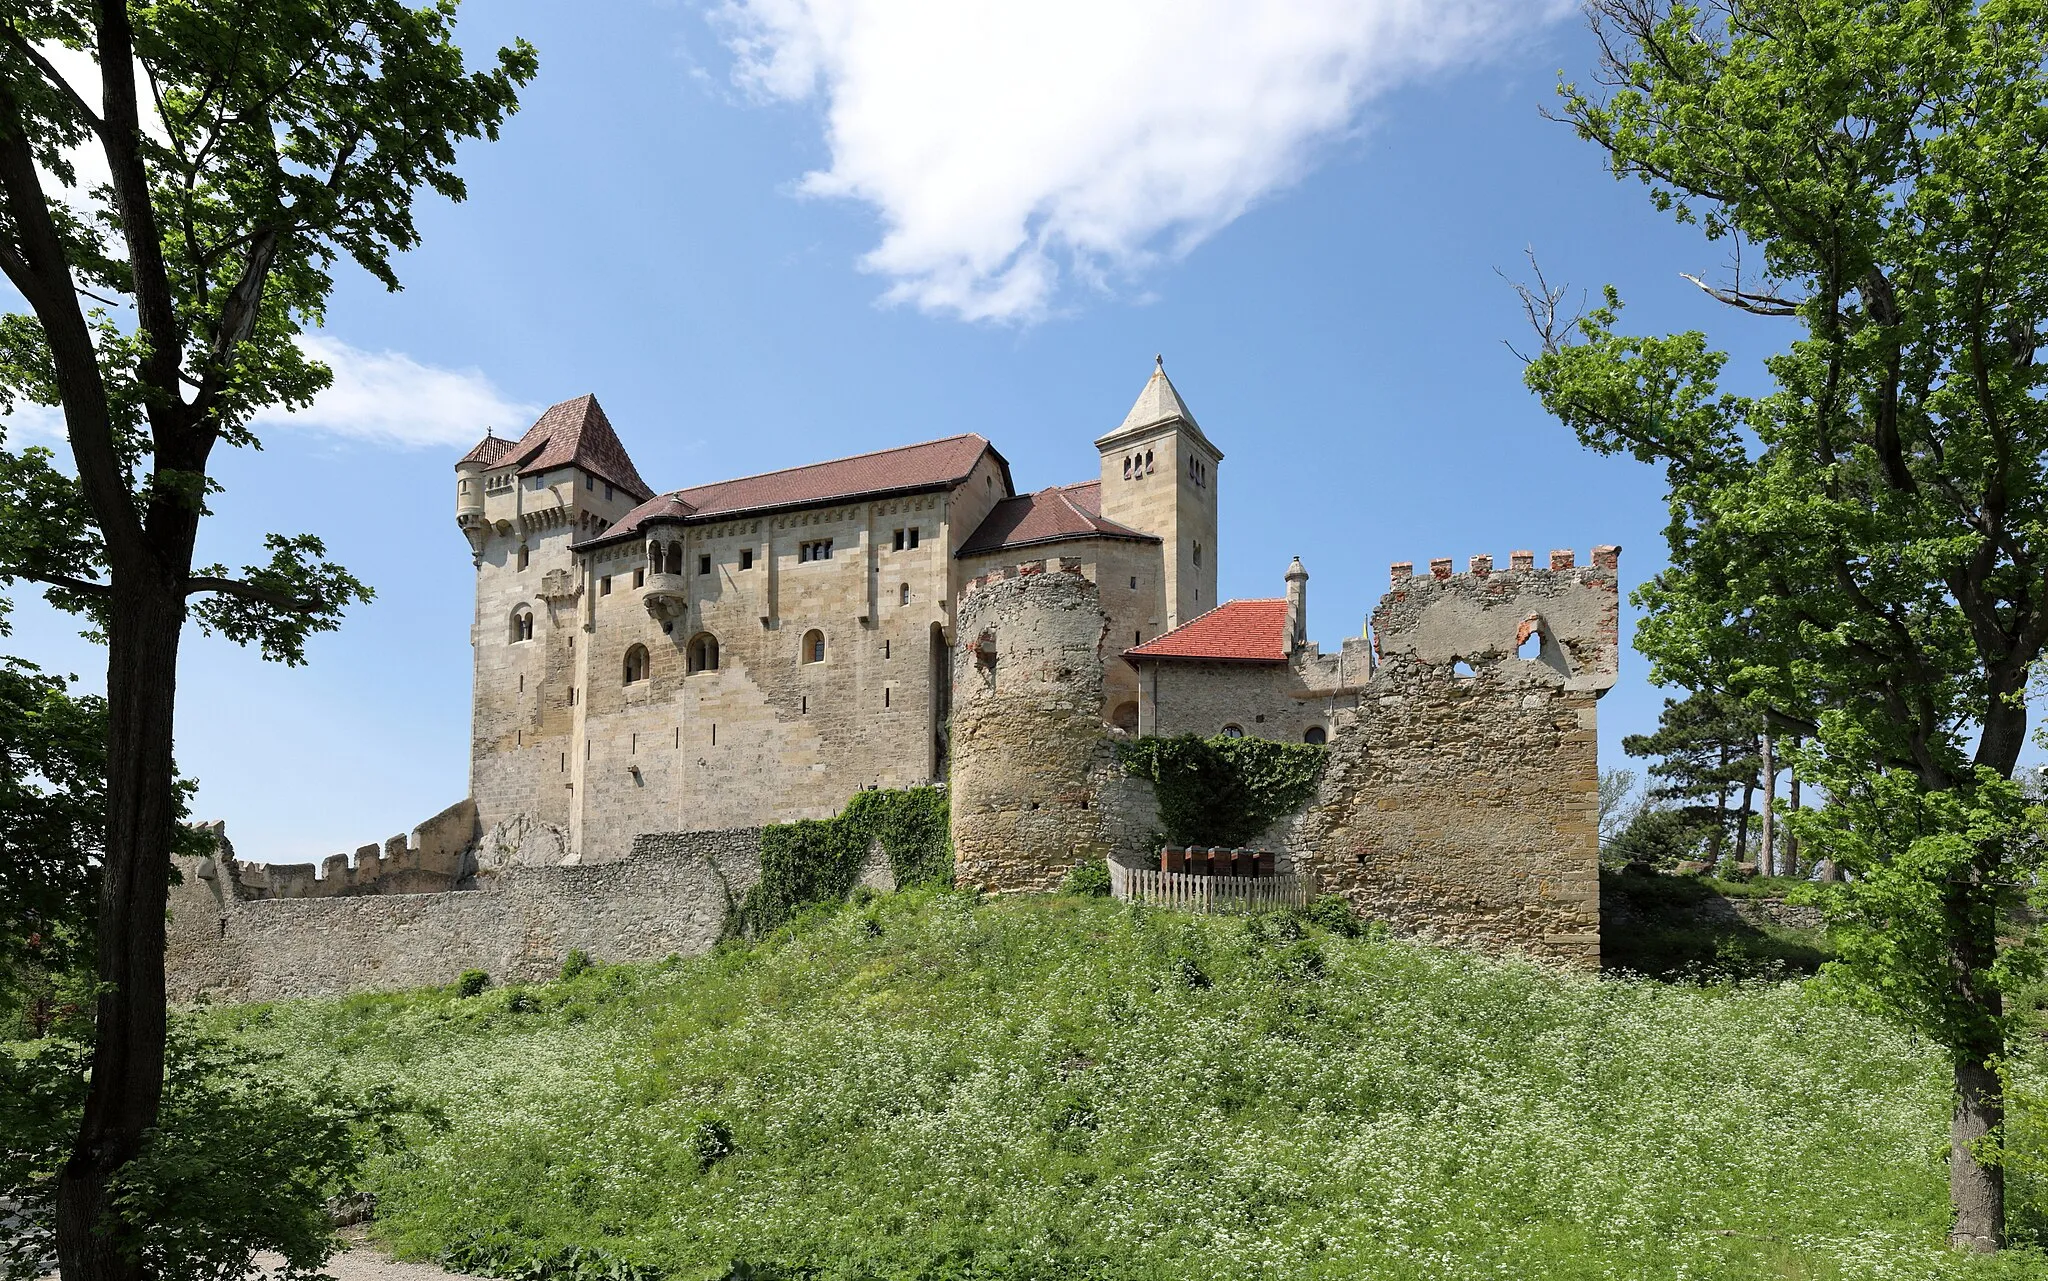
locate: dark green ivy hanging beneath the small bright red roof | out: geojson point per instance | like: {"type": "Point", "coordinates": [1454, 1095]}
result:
{"type": "Point", "coordinates": [1224, 790]}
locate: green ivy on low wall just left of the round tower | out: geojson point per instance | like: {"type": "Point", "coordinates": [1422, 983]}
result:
{"type": "Point", "coordinates": [816, 862]}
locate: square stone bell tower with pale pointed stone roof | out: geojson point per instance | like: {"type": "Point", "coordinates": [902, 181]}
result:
{"type": "Point", "coordinates": [1160, 479]}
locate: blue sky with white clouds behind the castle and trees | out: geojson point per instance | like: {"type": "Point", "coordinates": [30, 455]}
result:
{"type": "Point", "coordinates": [796, 229]}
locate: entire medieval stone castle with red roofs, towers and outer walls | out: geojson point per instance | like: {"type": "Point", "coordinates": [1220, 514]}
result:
{"type": "Point", "coordinates": [663, 673]}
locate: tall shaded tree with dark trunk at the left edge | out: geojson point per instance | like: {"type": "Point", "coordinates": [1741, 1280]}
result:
{"type": "Point", "coordinates": [247, 151]}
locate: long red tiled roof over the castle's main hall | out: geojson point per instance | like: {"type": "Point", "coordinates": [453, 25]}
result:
{"type": "Point", "coordinates": [929, 466]}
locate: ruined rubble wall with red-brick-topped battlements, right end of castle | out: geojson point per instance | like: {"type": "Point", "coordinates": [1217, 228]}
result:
{"type": "Point", "coordinates": [1467, 809]}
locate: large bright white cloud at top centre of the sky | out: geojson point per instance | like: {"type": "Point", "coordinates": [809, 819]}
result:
{"type": "Point", "coordinates": [1011, 142]}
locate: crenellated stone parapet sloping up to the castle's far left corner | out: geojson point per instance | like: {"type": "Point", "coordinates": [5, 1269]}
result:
{"type": "Point", "coordinates": [433, 858]}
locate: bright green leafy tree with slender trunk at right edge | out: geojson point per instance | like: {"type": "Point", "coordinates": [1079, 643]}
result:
{"type": "Point", "coordinates": [1869, 536]}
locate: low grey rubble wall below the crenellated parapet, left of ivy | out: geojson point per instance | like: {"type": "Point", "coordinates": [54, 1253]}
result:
{"type": "Point", "coordinates": [669, 897]}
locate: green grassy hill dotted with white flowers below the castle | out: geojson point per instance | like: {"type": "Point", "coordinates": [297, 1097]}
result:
{"type": "Point", "coordinates": [1064, 1087]}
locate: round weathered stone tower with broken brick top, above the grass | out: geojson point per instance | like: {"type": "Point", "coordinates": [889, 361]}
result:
{"type": "Point", "coordinates": [1029, 749]}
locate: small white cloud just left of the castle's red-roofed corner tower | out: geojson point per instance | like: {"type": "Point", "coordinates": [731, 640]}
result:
{"type": "Point", "coordinates": [390, 399]}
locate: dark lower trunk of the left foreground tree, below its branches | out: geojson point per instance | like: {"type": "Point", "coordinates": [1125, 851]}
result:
{"type": "Point", "coordinates": [142, 809]}
